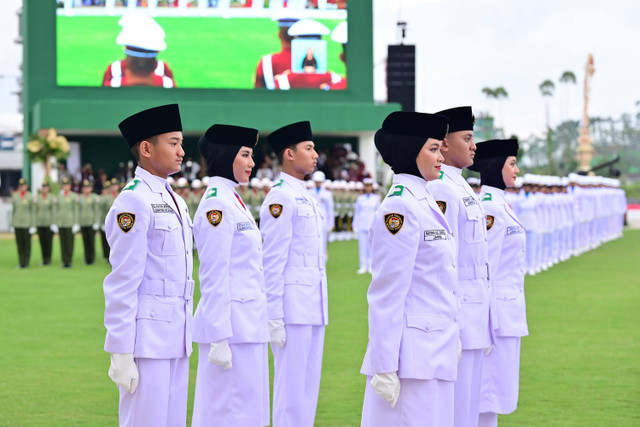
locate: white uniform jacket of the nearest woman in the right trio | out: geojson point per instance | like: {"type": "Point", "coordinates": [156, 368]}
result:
{"type": "Point", "coordinates": [412, 301]}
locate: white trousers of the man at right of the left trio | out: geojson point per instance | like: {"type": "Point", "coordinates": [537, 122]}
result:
{"type": "Point", "coordinates": [296, 377]}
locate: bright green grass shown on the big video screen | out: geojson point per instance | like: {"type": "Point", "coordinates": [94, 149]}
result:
{"type": "Point", "coordinates": [202, 52]}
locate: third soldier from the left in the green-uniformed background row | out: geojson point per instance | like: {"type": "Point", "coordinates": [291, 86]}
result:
{"type": "Point", "coordinates": [67, 220]}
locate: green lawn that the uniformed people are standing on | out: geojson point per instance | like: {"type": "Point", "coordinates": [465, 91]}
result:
{"type": "Point", "coordinates": [580, 366]}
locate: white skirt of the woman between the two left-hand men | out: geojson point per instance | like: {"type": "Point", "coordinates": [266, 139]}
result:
{"type": "Point", "coordinates": [238, 397]}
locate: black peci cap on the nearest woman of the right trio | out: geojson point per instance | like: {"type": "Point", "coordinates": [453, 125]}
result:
{"type": "Point", "coordinates": [415, 124]}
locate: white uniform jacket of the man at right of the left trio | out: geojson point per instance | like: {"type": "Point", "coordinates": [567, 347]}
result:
{"type": "Point", "coordinates": [293, 254]}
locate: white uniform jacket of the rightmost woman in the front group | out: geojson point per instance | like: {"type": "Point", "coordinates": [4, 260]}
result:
{"type": "Point", "coordinates": [507, 243]}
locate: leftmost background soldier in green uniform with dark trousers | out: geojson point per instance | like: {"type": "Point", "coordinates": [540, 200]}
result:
{"type": "Point", "coordinates": [22, 221]}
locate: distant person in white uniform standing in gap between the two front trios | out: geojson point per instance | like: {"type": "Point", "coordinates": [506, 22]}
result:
{"type": "Point", "coordinates": [365, 208]}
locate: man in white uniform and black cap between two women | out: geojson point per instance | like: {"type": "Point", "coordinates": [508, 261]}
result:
{"type": "Point", "coordinates": [466, 217]}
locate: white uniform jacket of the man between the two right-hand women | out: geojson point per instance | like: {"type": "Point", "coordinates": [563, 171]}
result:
{"type": "Point", "coordinates": [467, 220]}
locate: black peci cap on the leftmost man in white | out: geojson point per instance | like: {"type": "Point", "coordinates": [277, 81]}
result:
{"type": "Point", "coordinates": [150, 122]}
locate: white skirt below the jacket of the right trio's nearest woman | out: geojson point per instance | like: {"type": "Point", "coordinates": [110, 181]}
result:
{"type": "Point", "coordinates": [425, 403]}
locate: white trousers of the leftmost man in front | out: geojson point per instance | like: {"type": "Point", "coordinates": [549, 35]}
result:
{"type": "Point", "coordinates": [161, 396]}
